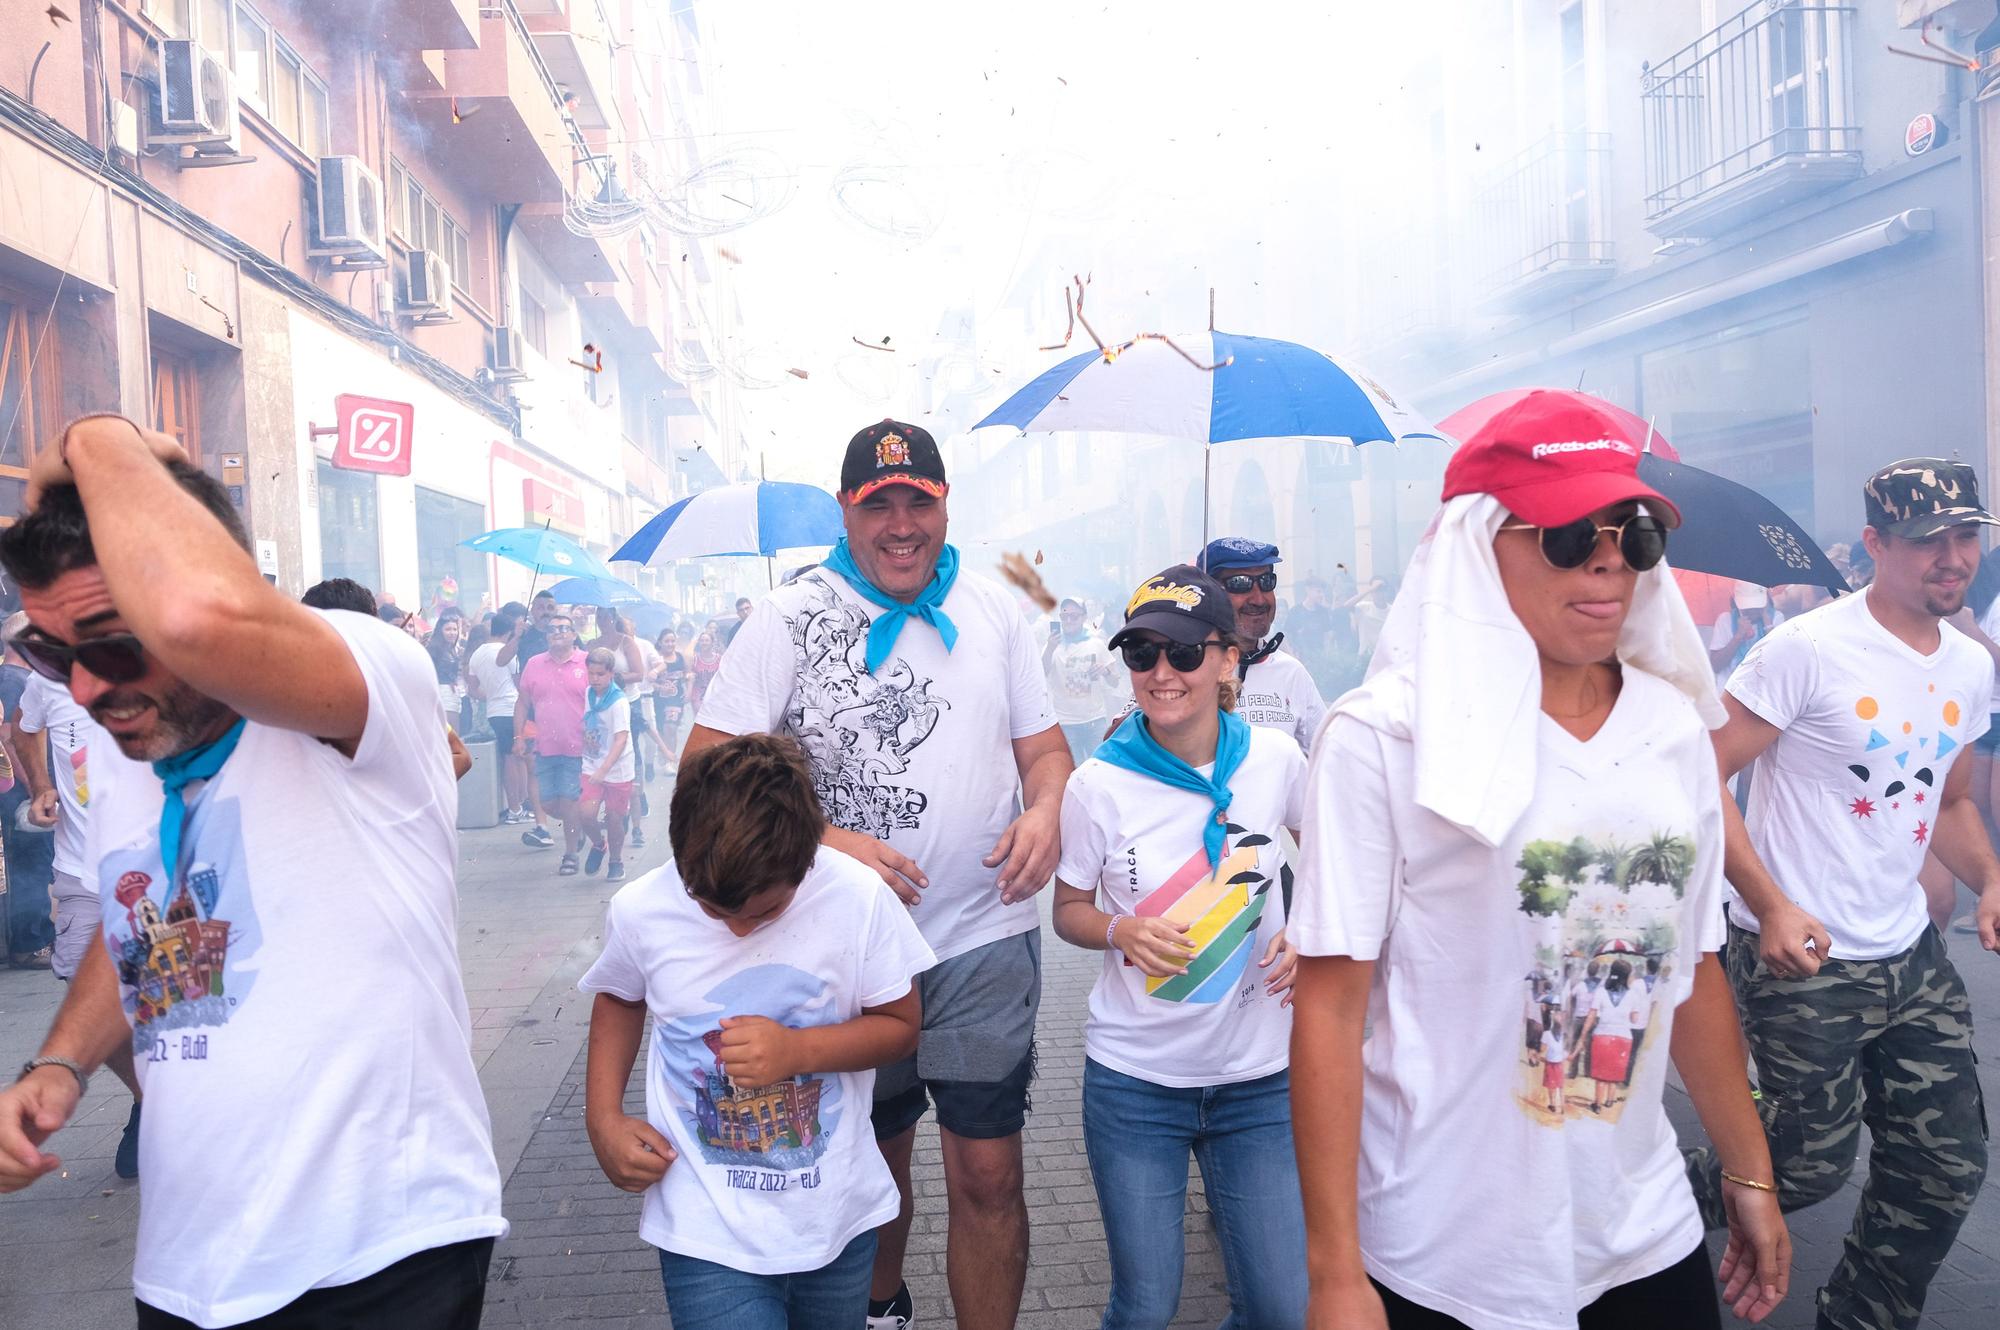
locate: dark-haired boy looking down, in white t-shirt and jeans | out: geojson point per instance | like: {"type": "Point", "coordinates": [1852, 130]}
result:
{"type": "Point", "coordinates": [777, 975]}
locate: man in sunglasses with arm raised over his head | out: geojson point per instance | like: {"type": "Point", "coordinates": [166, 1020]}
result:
{"type": "Point", "coordinates": [279, 929]}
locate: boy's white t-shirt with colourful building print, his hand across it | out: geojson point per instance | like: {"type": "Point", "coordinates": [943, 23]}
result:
{"type": "Point", "coordinates": [771, 1179]}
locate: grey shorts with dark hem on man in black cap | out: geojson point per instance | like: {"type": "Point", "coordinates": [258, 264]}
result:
{"type": "Point", "coordinates": [975, 1055]}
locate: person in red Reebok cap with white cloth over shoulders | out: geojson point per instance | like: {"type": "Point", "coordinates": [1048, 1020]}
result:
{"type": "Point", "coordinates": [1521, 797]}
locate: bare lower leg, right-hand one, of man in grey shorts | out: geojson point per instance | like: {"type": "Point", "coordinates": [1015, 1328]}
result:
{"type": "Point", "coordinates": [987, 1249]}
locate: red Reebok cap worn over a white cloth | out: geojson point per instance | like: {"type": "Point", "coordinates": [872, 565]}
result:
{"type": "Point", "coordinates": [1551, 459]}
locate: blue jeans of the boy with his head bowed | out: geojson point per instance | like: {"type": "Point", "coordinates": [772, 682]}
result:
{"type": "Point", "coordinates": [707, 1297]}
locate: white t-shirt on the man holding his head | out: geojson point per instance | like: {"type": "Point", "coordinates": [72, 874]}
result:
{"type": "Point", "coordinates": [299, 1017]}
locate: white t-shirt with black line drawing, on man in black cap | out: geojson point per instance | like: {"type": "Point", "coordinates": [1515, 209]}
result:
{"type": "Point", "coordinates": [917, 755]}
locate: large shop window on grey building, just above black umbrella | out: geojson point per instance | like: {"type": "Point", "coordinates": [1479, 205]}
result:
{"type": "Point", "coordinates": [1739, 403]}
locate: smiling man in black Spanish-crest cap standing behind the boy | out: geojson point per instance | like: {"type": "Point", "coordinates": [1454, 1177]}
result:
{"type": "Point", "coordinates": [919, 697]}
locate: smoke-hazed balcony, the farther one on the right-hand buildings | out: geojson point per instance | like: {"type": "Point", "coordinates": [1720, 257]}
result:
{"type": "Point", "coordinates": [1539, 223]}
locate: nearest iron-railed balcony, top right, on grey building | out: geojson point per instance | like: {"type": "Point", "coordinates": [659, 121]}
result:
{"type": "Point", "coordinates": [1749, 117]}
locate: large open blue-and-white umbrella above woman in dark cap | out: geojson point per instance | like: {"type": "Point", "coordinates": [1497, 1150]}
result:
{"type": "Point", "coordinates": [1269, 389]}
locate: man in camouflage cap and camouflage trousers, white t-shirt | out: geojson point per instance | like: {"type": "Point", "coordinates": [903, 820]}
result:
{"type": "Point", "coordinates": [1857, 715]}
